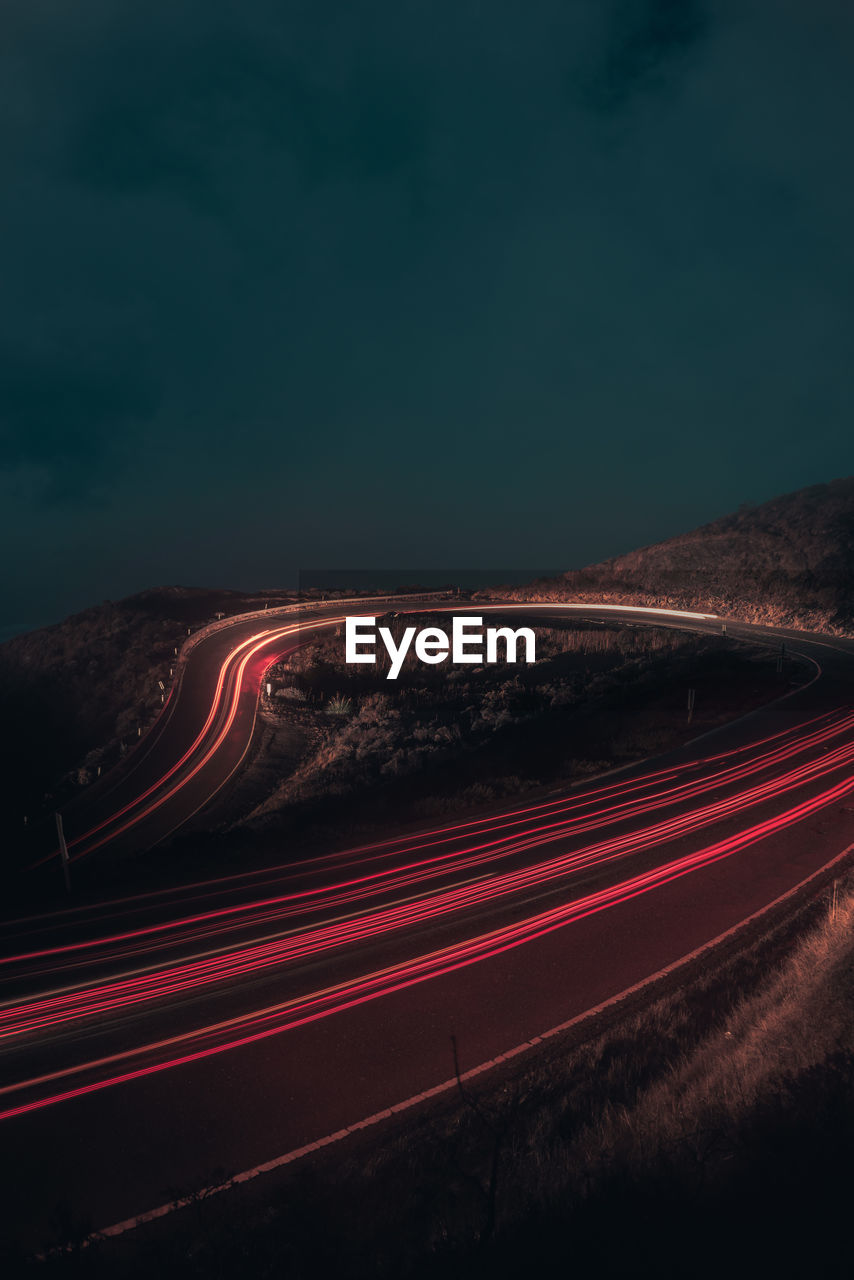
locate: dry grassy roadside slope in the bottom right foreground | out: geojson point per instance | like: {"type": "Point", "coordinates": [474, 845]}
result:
{"type": "Point", "coordinates": [709, 1132]}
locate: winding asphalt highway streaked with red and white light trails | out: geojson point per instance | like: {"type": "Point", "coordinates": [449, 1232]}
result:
{"type": "Point", "coordinates": [148, 1041]}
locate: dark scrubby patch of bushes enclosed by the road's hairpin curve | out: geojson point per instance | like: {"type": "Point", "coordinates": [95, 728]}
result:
{"type": "Point", "coordinates": [441, 739]}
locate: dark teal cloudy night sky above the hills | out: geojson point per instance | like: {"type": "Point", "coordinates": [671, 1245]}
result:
{"type": "Point", "coordinates": [412, 282]}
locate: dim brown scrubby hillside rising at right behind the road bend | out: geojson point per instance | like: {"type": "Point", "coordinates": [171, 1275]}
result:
{"type": "Point", "coordinates": [789, 561]}
